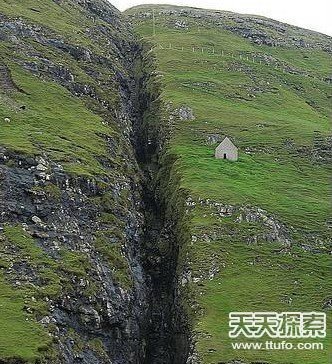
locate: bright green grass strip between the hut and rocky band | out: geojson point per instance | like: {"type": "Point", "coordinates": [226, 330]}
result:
{"type": "Point", "coordinates": [263, 182]}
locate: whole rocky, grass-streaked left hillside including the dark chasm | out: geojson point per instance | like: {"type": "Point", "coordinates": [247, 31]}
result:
{"type": "Point", "coordinates": [86, 250]}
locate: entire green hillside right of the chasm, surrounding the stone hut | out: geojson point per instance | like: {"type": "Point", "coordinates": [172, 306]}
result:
{"type": "Point", "coordinates": [261, 229]}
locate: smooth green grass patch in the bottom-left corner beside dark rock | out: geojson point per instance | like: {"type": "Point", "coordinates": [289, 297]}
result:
{"type": "Point", "coordinates": [20, 335]}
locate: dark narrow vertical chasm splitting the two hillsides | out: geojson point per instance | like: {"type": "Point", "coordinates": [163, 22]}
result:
{"type": "Point", "coordinates": [167, 334]}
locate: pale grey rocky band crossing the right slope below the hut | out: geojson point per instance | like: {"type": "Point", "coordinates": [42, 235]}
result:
{"type": "Point", "coordinates": [267, 228]}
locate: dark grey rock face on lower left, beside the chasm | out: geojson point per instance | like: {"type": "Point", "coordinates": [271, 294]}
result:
{"type": "Point", "coordinates": [62, 215]}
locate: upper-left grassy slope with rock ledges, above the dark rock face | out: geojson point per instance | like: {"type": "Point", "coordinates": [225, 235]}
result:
{"type": "Point", "coordinates": [63, 53]}
